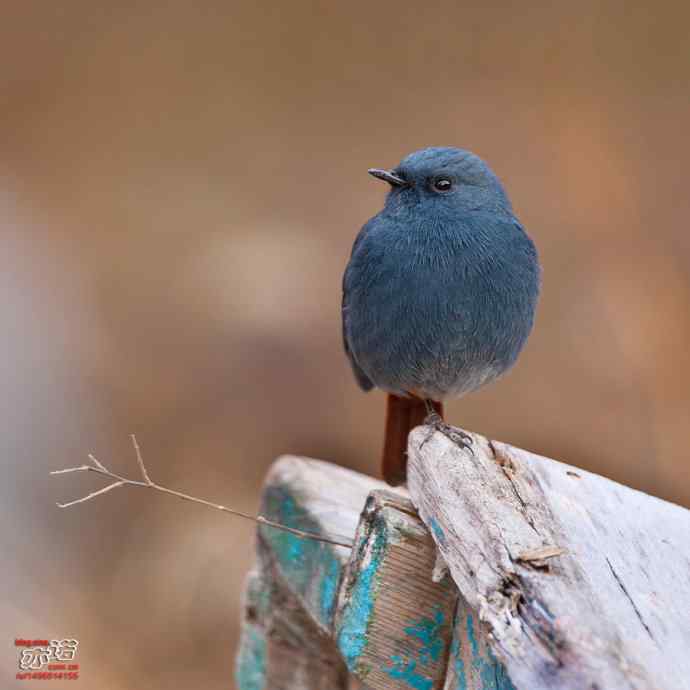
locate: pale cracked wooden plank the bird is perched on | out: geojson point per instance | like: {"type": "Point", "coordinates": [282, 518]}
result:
{"type": "Point", "coordinates": [608, 603]}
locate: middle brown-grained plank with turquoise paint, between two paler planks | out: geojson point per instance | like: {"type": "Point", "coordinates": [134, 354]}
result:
{"type": "Point", "coordinates": [394, 623]}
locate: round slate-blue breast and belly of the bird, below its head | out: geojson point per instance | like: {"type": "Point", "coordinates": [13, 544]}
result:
{"type": "Point", "coordinates": [439, 311]}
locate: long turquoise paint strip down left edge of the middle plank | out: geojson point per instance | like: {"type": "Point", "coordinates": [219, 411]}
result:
{"type": "Point", "coordinates": [352, 635]}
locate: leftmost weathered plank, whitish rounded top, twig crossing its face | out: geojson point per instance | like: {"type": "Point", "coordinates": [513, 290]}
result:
{"type": "Point", "coordinates": [287, 641]}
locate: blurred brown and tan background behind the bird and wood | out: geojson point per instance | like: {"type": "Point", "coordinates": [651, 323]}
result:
{"type": "Point", "coordinates": [180, 186]}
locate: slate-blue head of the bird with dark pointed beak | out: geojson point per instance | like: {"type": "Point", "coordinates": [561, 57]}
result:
{"type": "Point", "coordinates": [445, 177]}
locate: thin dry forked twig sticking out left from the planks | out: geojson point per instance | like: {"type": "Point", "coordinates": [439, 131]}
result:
{"type": "Point", "coordinates": [146, 482]}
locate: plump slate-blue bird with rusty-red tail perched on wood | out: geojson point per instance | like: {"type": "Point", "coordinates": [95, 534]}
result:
{"type": "Point", "coordinates": [439, 294]}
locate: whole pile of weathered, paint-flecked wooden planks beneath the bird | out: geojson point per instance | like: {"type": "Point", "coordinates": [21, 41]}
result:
{"type": "Point", "coordinates": [557, 578]}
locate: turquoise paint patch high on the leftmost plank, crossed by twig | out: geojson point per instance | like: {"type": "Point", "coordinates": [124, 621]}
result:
{"type": "Point", "coordinates": [311, 567]}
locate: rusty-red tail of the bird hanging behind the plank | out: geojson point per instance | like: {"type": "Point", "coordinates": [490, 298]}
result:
{"type": "Point", "coordinates": [402, 415]}
